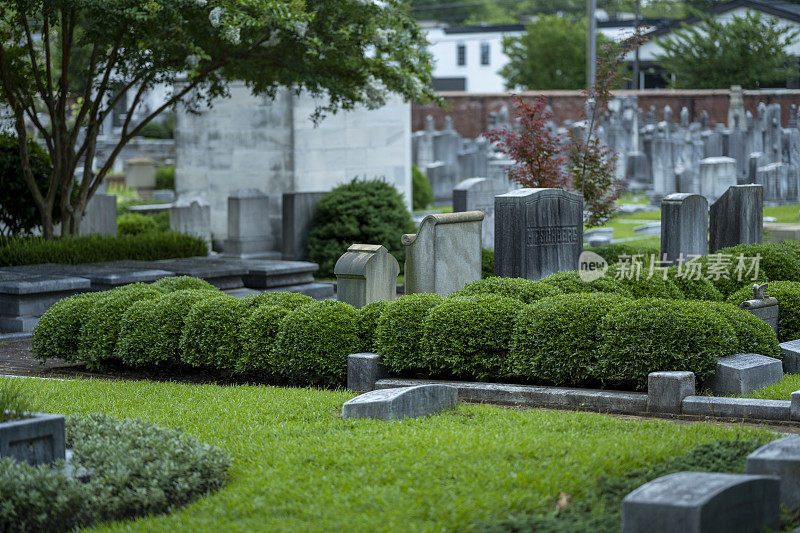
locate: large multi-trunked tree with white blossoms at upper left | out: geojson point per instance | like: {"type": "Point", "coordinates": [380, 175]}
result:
{"type": "Point", "coordinates": [74, 61]}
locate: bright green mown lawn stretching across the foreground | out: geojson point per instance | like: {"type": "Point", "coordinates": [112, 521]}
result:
{"type": "Point", "coordinates": [297, 466]}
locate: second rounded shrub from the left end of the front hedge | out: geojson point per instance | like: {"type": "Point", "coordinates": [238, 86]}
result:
{"type": "Point", "coordinates": [101, 325]}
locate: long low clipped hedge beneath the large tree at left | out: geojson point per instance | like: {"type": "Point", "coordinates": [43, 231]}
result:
{"type": "Point", "coordinates": [96, 248]}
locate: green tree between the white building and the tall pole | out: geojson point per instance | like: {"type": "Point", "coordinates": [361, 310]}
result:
{"type": "Point", "coordinates": [551, 54]}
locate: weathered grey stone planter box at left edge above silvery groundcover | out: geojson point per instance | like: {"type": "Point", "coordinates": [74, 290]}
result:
{"type": "Point", "coordinates": [36, 440]}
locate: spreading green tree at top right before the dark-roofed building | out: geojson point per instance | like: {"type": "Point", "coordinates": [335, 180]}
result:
{"type": "Point", "coordinates": [747, 51]}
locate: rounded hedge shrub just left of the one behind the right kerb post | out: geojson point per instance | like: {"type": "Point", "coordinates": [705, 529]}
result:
{"type": "Point", "coordinates": [557, 338]}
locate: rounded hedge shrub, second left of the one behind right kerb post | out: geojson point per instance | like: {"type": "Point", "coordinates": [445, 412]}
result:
{"type": "Point", "coordinates": [470, 337]}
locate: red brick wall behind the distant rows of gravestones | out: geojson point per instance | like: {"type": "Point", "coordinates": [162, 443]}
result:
{"type": "Point", "coordinates": [470, 112]}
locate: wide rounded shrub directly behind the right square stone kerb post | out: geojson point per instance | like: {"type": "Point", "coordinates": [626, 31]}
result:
{"type": "Point", "coordinates": [652, 334]}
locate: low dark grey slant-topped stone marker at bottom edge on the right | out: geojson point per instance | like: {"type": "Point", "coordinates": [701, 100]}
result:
{"type": "Point", "coordinates": [702, 502]}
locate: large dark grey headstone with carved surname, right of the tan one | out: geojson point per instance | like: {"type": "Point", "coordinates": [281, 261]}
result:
{"type": "Point", "coordinates": [537, 232]}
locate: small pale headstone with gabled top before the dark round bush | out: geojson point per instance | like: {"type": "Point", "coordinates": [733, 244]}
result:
{"type": "Point", "coordinates": [366, 273]}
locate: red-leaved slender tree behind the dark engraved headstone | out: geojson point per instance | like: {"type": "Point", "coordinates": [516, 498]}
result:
{"type": "Point", "coordinates": [581, 163]}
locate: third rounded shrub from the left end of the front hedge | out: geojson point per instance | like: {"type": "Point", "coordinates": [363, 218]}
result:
{"type": "Point", "coordinates": [138, 331]}
